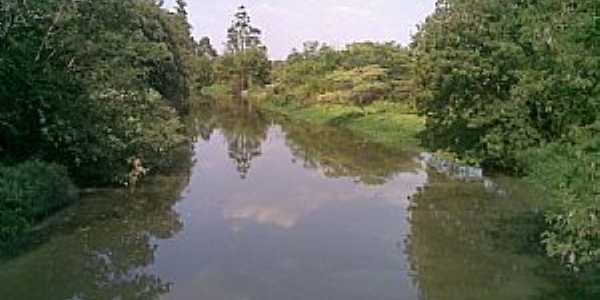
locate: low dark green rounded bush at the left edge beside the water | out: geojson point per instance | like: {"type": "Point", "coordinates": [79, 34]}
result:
{"type": "Point", "coordinates": [29, 192]}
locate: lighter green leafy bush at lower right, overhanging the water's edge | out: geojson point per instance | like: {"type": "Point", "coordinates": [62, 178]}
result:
{"type": "Point", "coordinates": [569, 174]}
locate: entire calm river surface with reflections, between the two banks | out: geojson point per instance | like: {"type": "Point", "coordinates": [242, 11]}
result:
{"type": "Point", "coordinates": [268, 210]}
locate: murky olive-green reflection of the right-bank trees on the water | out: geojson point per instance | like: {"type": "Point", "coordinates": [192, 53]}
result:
{"type": "Point", "coordinates": [467, 243]}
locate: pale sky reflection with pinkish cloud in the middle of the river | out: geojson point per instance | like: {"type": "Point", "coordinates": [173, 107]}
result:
{"type": "Point", "coordinates": [287, 231]}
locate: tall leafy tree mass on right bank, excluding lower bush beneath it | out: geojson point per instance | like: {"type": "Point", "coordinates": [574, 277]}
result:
{"type": "Point", "coordinates": [491, 86]}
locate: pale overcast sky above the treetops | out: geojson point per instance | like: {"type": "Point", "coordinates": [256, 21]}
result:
{"type": "Point", "coordinates": [286, 24]}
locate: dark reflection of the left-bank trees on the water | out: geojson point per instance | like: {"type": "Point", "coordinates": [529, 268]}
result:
{"type": "Point", "coordinates": [102, 247]}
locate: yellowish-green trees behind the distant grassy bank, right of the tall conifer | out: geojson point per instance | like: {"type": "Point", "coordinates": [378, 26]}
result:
{"type": "Point", "coordinates": [358, 75]}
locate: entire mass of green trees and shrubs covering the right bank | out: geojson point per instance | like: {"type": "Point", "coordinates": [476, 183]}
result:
{"type": "Point", "coordinates": [515, 85]}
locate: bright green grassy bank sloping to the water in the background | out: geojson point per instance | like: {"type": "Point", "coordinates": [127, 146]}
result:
{"type": "Point", "coordinates": [381, 122]}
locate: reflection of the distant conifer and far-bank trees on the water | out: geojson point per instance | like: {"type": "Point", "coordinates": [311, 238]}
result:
{"type": "Point", "coordinates": [334, 151]}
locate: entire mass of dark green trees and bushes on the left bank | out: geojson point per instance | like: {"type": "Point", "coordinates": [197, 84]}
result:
{"type": "Point", "coordinates": [90, 89]}
